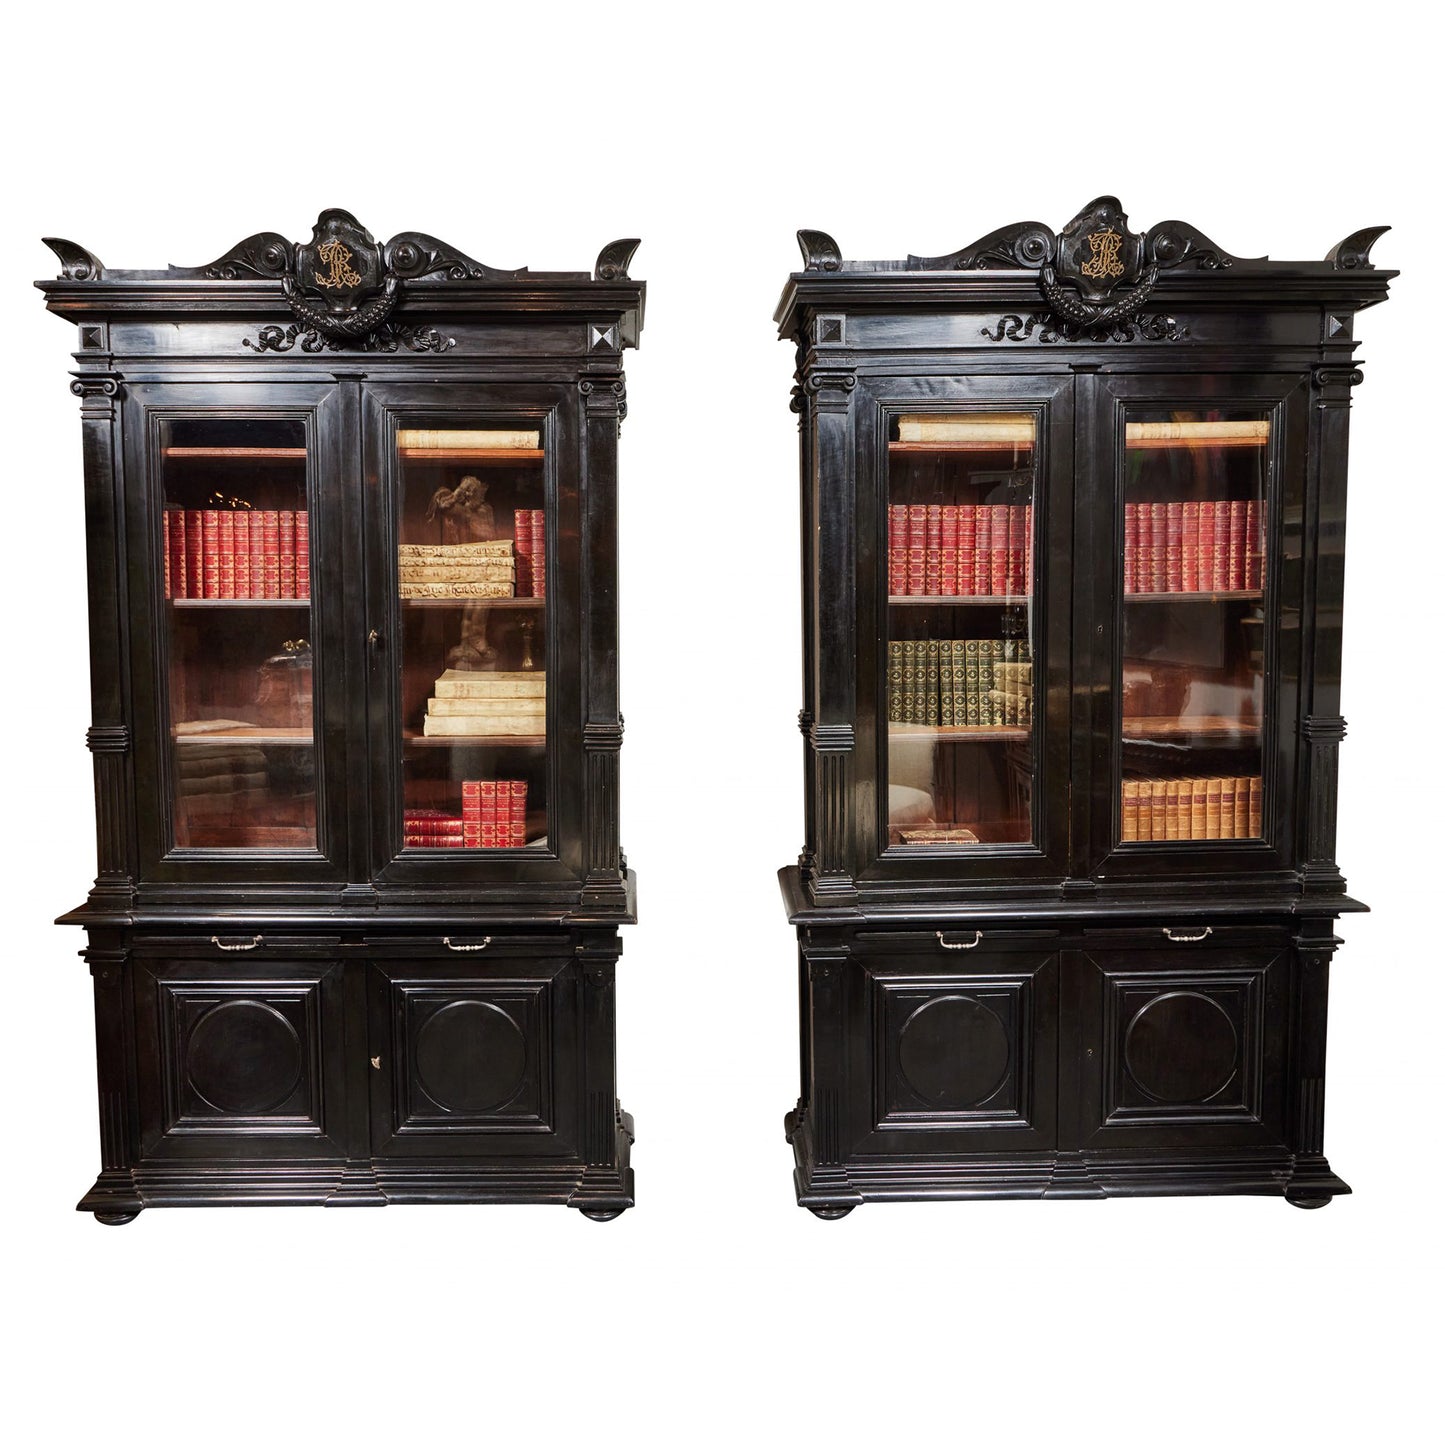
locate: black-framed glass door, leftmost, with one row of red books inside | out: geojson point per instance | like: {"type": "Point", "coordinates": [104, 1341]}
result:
{"type": "Point", "coordinates": [239, 678]}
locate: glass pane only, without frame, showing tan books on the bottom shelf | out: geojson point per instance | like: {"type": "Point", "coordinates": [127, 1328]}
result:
{"type": "Point", "coordinates": [1196, 486]}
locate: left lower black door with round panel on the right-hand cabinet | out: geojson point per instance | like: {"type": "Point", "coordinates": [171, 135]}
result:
{"type": "Point", "coordinates": [954, 1044]}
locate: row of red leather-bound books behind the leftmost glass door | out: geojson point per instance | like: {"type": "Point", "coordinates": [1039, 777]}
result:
{"type": "Point", "coordinates": [236, 553]}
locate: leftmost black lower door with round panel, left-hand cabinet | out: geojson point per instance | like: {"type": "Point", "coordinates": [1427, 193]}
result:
{"type": "Point", "coordinates": [241, 1056]}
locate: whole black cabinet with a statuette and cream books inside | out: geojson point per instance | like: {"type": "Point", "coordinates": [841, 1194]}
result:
{"type": "Point", "coordinates": [352, 518]}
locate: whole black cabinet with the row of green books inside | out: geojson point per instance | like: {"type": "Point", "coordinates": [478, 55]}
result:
{"type": "Point", "coordinates": [1073, 519]}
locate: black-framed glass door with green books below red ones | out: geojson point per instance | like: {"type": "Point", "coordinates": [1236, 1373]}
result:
{"type": "Point", "coordinates": [972, 475]}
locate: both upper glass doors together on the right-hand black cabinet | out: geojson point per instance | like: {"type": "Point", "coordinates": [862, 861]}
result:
{"type": "Point", "coordinates": [1084, 596]}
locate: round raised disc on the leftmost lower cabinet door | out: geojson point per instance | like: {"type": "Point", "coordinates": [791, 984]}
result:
{"type": "Point", "coordinates": [243, 1058]}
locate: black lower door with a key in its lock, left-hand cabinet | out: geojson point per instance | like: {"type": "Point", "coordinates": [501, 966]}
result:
{"type": "Point", "coordinates": [476, 1056]}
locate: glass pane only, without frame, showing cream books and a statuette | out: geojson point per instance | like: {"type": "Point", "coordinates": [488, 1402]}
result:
{"type": "Point", "coordinates": [472, 570]}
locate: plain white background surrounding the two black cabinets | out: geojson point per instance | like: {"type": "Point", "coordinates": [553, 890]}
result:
{"type": "Point", "coordinates": [717, 1308]}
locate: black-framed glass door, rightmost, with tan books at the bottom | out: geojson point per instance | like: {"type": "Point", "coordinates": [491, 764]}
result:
{"type": "Point", "coordinates": [1200, 663]}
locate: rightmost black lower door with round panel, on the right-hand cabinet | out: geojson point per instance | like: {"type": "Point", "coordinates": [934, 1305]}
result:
{"type": "Point", "coordinates": [1183, 1044]}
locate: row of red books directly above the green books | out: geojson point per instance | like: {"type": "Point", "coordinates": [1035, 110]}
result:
{"type": "Point", "coordinates": [966, 551]}
